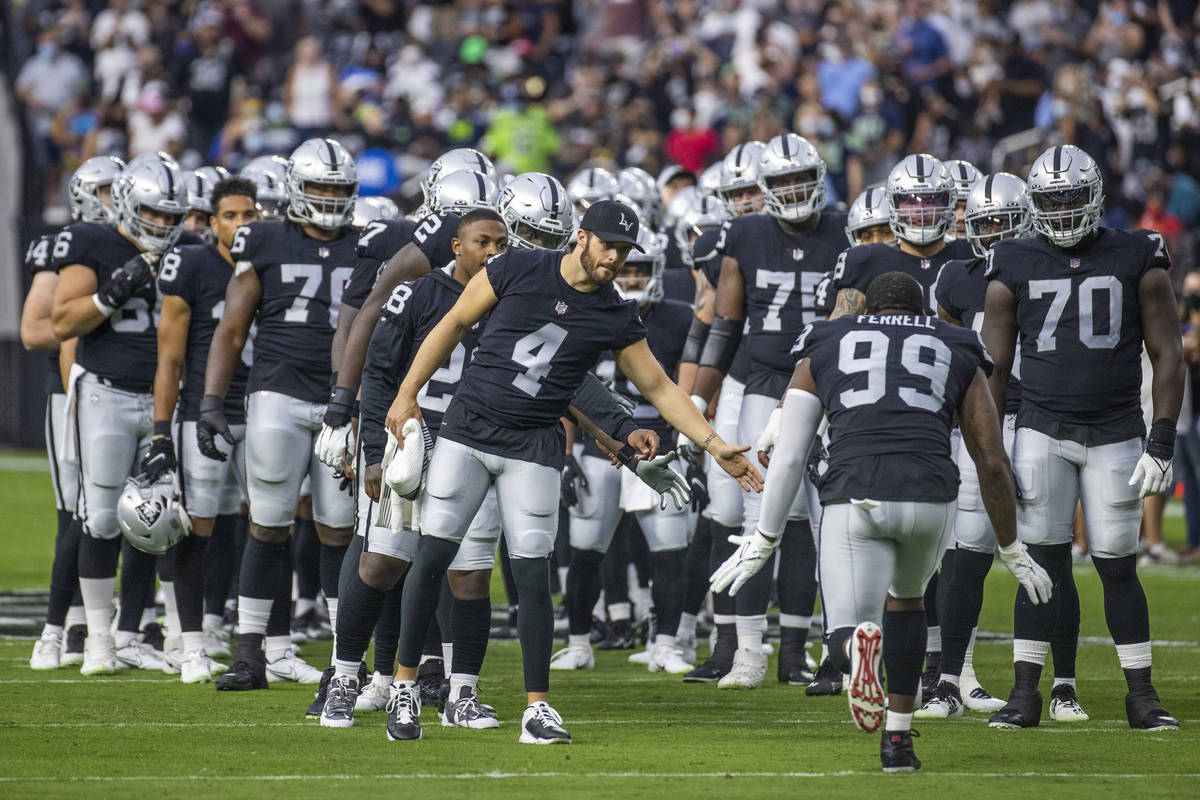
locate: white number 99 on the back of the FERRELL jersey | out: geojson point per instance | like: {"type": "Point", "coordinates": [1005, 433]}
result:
{"type": "Point", "coordinates": [875, 364]}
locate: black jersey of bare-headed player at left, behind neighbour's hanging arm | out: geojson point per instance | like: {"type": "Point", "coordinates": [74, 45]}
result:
{"type": "Point", "coordinates": [199, 275]}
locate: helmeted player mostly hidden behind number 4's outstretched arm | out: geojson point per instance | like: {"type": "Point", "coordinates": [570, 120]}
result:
{"type": "Point", "coordinates": [603, 495]}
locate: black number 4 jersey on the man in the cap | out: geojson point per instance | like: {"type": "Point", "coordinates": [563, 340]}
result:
{"type": "Point", "coordinates": [541, 340]}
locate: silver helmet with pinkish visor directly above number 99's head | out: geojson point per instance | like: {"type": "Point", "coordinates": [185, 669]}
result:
{"type": "Point", "coordinates": [921, 200]}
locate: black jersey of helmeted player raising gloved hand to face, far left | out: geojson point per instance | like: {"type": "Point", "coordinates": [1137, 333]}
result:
{"type": "Point", "coordinates": [124, 348]}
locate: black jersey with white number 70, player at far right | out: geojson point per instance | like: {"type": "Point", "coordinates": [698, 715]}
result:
{"type": "Point", "coordinates": [1081, 332]}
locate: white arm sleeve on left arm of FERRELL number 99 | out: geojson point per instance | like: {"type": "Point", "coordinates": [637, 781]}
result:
{"type": "Point", "coordinates": [801, 417]}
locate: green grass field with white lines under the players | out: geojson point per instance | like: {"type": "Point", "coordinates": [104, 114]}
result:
{"type": "Point", "coordinates": [637, 735]}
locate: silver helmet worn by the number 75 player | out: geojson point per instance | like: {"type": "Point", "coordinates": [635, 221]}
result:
{"type": "Point", "coordinates": [791, 176]}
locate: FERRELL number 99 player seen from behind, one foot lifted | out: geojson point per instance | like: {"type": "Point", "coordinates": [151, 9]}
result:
{"type": "Point", "coordinates": [892, 383]}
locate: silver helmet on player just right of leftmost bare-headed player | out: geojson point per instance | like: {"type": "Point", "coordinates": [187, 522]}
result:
{"type": "Point", "coordinates": [327, 164]}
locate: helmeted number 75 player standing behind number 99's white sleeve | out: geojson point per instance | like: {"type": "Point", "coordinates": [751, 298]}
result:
{"type": "Point", "coordinates": [771, 264]}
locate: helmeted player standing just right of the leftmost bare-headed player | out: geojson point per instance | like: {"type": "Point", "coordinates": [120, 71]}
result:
{"type": "Point", "coordinates": [290, 276]}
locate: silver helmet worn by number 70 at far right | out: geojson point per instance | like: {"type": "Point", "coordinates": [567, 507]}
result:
{"type": "Point", "coordinates": [1066, 195]}
